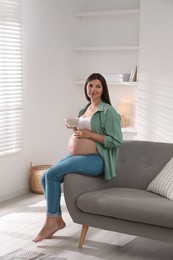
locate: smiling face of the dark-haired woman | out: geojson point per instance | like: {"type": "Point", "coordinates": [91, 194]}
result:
{"type": "Point", "coordinates": [94, 90]}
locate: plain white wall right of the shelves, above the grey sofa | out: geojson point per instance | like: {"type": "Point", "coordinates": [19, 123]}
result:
{"type": "Point", "coordinates": [155, 92]}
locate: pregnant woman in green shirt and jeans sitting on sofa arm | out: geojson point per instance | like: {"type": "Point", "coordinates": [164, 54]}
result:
{"type": "Point", "coordinates": [93, 150]}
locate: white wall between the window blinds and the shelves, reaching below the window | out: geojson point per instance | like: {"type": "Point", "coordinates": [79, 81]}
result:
{"type": "Point", "coordinates": [48, 28]}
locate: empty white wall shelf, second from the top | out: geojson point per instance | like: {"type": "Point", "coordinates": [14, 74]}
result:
{"type": "Point", "coordinates": [108, 48]}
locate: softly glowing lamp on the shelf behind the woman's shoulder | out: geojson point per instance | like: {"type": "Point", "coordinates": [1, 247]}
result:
{"type": "Point", "coordinates": [123, 109]}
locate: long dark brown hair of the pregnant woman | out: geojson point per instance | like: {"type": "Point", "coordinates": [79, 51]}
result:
{"type": "Point", "coordinates": [105, 95]}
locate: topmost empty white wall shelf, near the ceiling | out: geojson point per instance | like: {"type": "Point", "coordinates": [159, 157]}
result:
{"type": "Point", "coordinates": [106, 13]}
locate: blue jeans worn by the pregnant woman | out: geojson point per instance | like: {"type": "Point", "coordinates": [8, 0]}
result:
{"type": "Point", "coordinates": [90, 165]}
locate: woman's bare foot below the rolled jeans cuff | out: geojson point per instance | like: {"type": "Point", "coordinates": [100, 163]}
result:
{"type": "Point", "coordinates": [51, 226]}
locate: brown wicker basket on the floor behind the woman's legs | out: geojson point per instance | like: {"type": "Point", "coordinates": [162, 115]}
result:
{"type": "Point", "coordinates": [36, 173]}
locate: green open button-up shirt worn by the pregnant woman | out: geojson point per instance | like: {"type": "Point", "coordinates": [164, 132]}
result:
{"type": "Point", "coordinates": [106, 121]}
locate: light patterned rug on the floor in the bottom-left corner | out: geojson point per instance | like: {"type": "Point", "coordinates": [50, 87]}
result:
{"type": "Point", "coordinates": [22, 254]}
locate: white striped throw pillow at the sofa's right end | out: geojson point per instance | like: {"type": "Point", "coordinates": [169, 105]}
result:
{"type": "Point", "coordinates": [163, 182]}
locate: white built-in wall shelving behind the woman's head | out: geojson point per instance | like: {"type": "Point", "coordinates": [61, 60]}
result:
{"type": "Point", "coordinates": [108, 42]}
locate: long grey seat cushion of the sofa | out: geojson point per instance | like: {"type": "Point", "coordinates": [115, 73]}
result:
{"type": "Point", "coordinates": [129, 204]}
